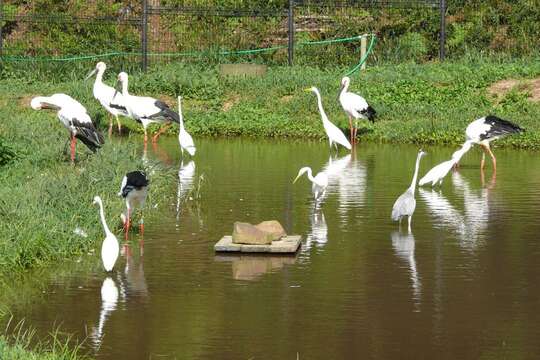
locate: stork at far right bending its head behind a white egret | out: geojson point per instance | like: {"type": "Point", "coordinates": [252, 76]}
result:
{"type": "Point", "coordinates": [486, 129]}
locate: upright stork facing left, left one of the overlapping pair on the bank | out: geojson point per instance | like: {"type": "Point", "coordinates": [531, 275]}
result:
{"type": "Point", "coordinates": [105, 94]}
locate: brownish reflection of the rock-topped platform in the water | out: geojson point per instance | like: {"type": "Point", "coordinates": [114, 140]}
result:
{"type": "Point", "coordinates": [252, 267]}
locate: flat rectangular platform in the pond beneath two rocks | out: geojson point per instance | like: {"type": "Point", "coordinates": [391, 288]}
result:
{"type": "Point", "coordinates": [288, 244]}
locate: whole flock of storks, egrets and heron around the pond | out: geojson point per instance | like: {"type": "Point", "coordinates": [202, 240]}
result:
{"type": "Point", "coordinates": [146, 110]}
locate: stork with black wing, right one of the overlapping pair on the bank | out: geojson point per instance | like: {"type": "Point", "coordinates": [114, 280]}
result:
{"type": "Point", "coordinates": [145, 110]}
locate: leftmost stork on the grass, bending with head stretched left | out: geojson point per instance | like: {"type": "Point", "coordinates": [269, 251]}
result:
{"type": "Point", "coordinates": [74, 117]}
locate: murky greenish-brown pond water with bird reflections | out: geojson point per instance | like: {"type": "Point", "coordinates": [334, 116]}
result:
{"type": "Point", "coordinates": [462, 285]}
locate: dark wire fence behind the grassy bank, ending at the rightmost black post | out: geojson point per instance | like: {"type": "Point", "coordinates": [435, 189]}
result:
{"type": "Point", "coordinates": [146, 32]}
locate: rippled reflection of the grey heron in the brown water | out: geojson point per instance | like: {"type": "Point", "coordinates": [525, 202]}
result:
{"type": "Point", "coordinates": [404, 244]}
